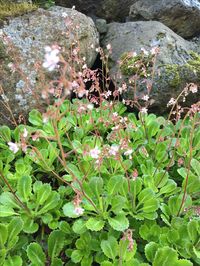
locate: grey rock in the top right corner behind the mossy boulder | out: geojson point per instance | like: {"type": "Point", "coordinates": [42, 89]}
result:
{"type": "Point", "coordinates": [182, 16]}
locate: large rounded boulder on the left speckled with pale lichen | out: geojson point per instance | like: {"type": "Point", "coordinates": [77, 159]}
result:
{"type": "Point", "coordinates": [29, 35]}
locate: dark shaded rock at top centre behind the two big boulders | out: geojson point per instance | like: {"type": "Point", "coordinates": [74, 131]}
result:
{"type": "Point", "coordinates": [111, 10]}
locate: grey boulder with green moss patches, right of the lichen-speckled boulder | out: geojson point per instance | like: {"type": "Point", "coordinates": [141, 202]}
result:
{"type": "Point", "coordinates": [176, 65]}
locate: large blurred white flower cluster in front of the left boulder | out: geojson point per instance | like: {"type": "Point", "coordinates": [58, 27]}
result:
{"type": "Point", "coordinates": [51, 58]}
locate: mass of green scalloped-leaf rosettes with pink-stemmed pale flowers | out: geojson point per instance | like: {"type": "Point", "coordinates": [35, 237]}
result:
{"type": "Point", "coordinates": [86, 182]}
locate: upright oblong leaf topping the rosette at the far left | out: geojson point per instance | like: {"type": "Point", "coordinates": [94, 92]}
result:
{"type": "Point", "coordinates": [24, 188]}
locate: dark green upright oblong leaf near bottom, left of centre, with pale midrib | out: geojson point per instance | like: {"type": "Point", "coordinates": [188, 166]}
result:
{"type": "Point", "coordinates": [55, 243]}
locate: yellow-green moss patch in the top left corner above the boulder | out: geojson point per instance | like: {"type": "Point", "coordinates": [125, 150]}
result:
{"type": "Point", "coordinates": [10, 9]}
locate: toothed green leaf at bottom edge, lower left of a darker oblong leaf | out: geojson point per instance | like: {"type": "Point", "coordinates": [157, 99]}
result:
{"type": "Point", "coordinates": [36, 254]}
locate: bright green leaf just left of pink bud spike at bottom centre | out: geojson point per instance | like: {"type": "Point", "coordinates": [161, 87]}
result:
{"type": "Point", "coordinates": [110, 247]}
